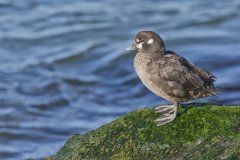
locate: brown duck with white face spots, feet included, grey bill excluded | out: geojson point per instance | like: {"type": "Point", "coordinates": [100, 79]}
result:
{"type": "Point", "coordinates": [169, 75]}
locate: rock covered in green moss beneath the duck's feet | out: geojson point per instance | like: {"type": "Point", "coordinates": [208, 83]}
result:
{"type": "Point", "coordinates": [199, 132]}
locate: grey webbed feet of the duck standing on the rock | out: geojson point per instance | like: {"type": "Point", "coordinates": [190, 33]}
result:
{"type": "Point", "coordinates": [168, 113]}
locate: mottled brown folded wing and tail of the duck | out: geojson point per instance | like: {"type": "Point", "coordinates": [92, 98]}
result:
{"type": "Point", "coordinates": [181, 79]}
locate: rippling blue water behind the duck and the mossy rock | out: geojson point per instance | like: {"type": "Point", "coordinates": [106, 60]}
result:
{"type": "Point", "coordinates": [64, 69]}
